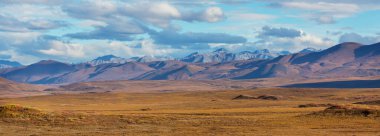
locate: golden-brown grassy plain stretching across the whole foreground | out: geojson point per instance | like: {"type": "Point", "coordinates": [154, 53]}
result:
{"type": "Point", "coordinates": [192, 113]}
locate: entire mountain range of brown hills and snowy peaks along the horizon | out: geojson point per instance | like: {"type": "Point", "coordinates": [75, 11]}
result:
{"type": "Point", "coordinates": [342, 60]}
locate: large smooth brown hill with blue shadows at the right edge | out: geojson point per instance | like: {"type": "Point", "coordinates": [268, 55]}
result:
{"type": "Point", "coordinates": [343, 60]}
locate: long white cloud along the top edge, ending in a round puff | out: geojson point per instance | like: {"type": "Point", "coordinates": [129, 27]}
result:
{"type": "Point", "coordinates": [159, 14]}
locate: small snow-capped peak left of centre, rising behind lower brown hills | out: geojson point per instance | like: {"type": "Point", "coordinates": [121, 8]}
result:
{"type": "Point", "coordinates": [107, 59]}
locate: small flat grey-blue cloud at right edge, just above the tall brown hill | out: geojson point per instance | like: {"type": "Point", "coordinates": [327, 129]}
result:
{"type": "Point", "coordinates": [354, 37]}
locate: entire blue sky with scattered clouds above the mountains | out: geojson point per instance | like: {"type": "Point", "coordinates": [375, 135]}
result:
{"type": "Point", "coordinates": [80, 30]}
